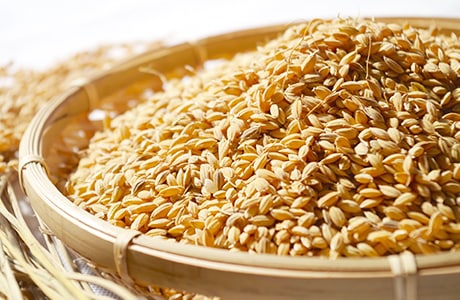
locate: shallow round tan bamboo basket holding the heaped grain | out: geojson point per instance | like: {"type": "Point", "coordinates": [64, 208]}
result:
{"type": "Point", "coordinates": [143, 260]}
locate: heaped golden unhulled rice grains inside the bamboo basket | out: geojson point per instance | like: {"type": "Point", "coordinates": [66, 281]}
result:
{"type": "Point", "coordinates": [337, 139]}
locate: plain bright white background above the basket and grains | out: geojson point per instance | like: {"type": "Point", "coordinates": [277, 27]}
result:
{"type": "Point", "coordinates": [37, 33]}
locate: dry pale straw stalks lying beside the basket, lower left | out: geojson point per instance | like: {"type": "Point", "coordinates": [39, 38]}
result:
{"type": "Point", "coordinates": [25, 263]}
